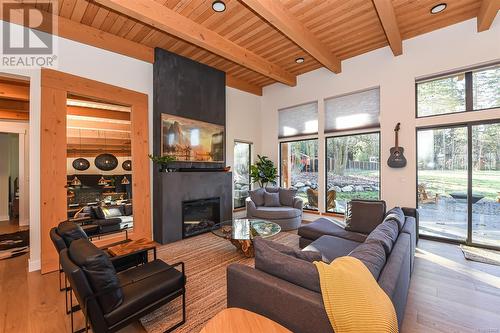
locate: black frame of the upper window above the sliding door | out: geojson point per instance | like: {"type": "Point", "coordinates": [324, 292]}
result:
{"type": "Point", "coordinates": [469, 92]}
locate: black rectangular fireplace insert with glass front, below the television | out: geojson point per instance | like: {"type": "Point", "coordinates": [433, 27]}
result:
{"type": "Point", "coordinates": [199, 216]}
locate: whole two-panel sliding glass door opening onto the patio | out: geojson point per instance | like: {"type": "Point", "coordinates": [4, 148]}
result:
{"type": "Point", "coordinates": [458, 183]}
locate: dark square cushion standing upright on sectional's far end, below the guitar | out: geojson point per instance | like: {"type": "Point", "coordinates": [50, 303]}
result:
{"type": "Point", "coordinates": [364, 215]}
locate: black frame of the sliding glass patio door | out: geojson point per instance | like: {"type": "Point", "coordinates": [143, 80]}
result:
{"type": "Point", "coordinates": [468, 125]}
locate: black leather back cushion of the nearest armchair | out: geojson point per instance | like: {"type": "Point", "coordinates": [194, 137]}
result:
{"type": "Point", "coordinates": [99, 271]}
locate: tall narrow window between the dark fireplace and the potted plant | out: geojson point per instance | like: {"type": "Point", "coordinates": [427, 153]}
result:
{"type": "Point", "coordinates": [241, 172]}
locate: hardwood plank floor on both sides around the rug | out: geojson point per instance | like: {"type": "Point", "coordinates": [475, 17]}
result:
{"type": "Point", "coordinates": [447, 294]}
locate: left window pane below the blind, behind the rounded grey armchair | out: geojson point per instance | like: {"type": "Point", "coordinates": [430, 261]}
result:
{"type": "Point", "coordinates": [299, 169]}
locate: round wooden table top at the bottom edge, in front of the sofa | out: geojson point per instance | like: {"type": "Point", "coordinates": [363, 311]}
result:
{"type": "Point", "coordinates": [242, 321]}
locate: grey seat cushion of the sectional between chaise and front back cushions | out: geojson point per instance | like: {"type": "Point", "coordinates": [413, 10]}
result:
{"type": "Point", "coordinates": [331, 247]}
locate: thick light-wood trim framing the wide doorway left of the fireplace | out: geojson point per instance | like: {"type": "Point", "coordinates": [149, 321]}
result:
{"type": "Point", "coordinates": [55, 87]}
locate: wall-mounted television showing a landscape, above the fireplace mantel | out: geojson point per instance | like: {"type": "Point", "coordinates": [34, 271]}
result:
{"type": "Point", "coordinates": [191, 140]}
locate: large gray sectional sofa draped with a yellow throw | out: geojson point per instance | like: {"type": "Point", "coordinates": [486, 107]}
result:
{"type": "Point", "coordinates": [284, 285]}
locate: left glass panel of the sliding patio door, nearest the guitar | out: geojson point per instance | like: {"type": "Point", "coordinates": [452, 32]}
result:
{"type": "Point", "coordinates": [442, 182]}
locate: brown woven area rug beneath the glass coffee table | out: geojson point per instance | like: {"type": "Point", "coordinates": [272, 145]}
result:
{"type": "Point", "coordinates": [206, 258]}
